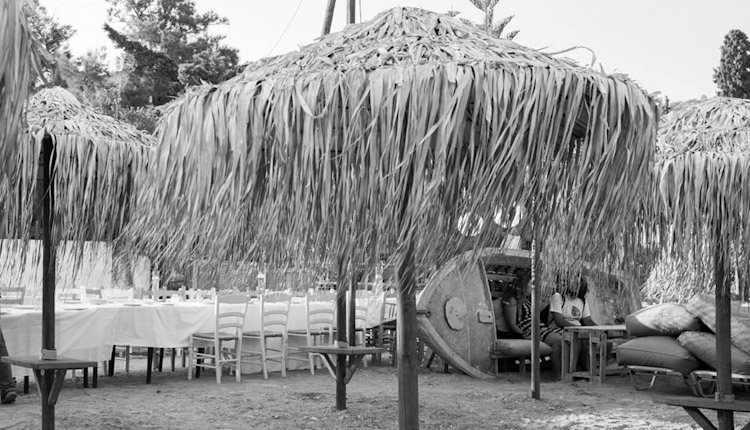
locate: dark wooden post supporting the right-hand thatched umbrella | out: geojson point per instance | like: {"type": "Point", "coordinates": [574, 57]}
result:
{"type": "Point", "coordinates": [723, 336]}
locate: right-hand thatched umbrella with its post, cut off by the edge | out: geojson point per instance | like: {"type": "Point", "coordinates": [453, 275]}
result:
{"type": "Point", "coordinates": [703, 172]}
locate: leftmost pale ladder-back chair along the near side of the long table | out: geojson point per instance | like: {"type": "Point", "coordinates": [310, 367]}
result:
{"type": "Point", "coordinates": [222, 347]}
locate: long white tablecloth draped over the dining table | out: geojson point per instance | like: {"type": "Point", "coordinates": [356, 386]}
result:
{"type": "Point", "coordinates": [88, 332]}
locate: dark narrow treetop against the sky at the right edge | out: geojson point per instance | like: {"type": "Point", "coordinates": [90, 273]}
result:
{"type": "Point", "coordinates": [733, 74]}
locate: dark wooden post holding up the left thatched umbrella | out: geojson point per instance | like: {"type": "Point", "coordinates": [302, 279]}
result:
{"type": "Point", "coordinates": [44, 196]}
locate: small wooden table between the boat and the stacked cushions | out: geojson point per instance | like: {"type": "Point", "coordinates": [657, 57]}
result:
{"type": "Point", "coordinates": [598, 337]}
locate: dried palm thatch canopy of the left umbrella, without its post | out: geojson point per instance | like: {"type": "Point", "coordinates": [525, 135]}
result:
{"type": "Point", "coordinates": [95, 162]}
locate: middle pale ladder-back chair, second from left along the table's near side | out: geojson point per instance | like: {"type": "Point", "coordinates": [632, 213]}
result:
{"type": "Point", "coordinates": [274, 315]}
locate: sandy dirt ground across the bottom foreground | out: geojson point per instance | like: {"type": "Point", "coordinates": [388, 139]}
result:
{"type": "Point", "coordinates": [302, 401]}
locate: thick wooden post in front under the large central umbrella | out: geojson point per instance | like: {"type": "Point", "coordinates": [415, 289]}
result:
{"type": "Point", "coordinates": [406, 344]}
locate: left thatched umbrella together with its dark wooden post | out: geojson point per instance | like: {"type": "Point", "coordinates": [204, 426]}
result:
{"type": "Point", "coordinates": [80, 188]}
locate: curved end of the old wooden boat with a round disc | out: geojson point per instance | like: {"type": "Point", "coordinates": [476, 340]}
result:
{"type": "Point", "coordinates": [454, 311]}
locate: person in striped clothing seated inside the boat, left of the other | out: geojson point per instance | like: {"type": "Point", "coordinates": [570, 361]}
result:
{"type": "Point", "coordinates": [517, 309]}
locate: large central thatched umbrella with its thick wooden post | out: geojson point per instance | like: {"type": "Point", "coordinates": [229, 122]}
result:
{"type": "Point", "coordinates": [381, 137]}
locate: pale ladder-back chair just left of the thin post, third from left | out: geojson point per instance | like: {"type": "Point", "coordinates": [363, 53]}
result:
{"type": "Point", "coordinates": [319, 330]}
